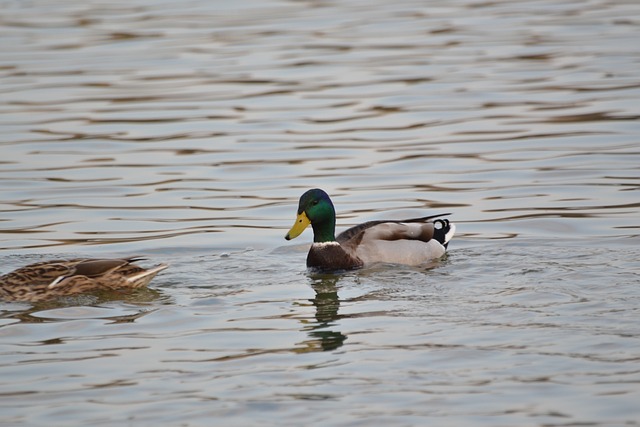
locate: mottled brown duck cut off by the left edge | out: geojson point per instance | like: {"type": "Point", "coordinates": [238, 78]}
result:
{"type": "Point", "coordinates": [50, 279]}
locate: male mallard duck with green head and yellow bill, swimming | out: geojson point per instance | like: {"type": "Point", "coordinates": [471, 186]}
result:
{"type": "Point", "coordinates": [411, 241]}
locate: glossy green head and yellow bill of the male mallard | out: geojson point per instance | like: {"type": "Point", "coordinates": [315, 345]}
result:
{"type": "Point", "coordinates": [315, 208]}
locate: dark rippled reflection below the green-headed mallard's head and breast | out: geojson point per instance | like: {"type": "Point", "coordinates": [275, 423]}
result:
{"type": "Point", "coordinates": [327, 304]}
